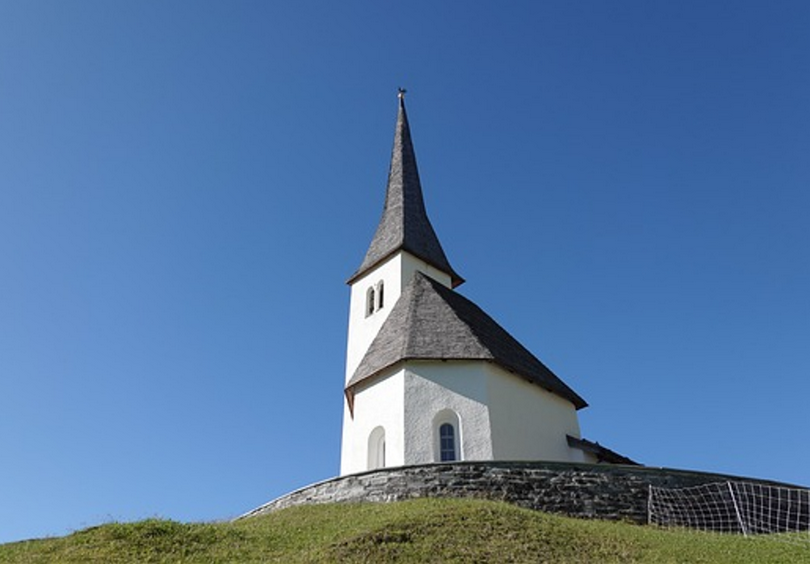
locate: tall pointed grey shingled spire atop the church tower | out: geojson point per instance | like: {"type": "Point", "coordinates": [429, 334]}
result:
{"type": "Point", "coordinates": [404, 224]}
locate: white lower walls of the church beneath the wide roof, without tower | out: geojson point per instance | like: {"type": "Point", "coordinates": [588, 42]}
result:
{"type": "Point", "coordinates": [495, 415]}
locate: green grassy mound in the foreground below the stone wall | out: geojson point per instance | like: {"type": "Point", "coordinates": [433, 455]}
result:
{"type": "Point", "coordinates": [414, 531]}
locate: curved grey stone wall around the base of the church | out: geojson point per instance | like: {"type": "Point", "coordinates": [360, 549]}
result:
{"type": "Point", "coordinates": [580, 490]}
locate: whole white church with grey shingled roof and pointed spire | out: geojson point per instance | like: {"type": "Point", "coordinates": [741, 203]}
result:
{"type": "Point", "coordinates": [431, 377]}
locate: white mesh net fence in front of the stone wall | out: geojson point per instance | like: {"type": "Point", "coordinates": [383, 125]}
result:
{"type": "Point", "coordinates": [733, 507]}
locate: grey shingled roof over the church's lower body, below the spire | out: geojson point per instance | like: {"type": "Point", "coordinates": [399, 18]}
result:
{"type": "Point", "coordinates": [432, 322]}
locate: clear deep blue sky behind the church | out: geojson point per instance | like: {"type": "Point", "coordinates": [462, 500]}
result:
{"type": "Point", "coordinates": [185, 187]}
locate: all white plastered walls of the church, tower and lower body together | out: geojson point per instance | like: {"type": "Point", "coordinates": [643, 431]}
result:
{"type": "Point", "coordinates": [397, 416]}
